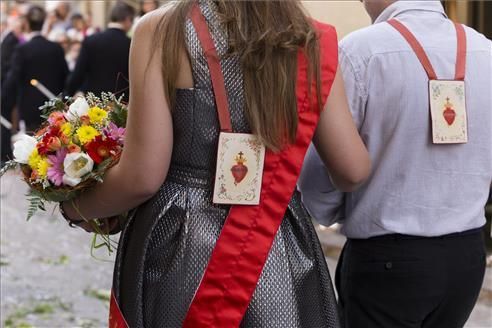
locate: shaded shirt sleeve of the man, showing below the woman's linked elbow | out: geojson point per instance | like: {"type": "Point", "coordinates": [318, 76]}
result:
{"type": "Point", "coordinates": [323, 201]}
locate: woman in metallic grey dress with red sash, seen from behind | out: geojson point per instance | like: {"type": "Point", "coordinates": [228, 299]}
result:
{"type": "Point", "coordinates": [268, 70]}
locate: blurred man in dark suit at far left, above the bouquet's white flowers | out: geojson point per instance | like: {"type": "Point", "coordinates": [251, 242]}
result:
{"type": "Point", "coordinates": [38, 59]}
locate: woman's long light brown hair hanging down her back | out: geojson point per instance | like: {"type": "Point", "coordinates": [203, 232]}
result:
{"type": "Point", "coordinates": [266, 35]}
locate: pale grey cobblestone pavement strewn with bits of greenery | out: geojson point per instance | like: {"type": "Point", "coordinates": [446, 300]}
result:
{"type": "Point", "coordinates": [49, 279]}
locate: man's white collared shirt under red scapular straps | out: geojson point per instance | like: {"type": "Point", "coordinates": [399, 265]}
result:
{"type": "Point", "coordinates": [416, 187]}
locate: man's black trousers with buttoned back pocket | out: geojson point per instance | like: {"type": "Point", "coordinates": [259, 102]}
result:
{"type": "Point", "coordinates": [405, 281]}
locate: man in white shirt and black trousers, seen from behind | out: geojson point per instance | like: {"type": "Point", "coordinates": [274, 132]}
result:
{"type": "Point", "coordinates": [414, 255]}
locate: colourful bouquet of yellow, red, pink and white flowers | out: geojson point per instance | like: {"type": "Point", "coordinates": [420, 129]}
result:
{"type": "Point", "coordinates": [79, 141]}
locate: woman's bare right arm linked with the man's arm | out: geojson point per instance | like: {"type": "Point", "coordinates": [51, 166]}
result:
{"type": "Point", "coordinates": [338, 142]}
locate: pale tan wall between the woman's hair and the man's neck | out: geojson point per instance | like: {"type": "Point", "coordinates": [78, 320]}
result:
{"type": "Point", "coordinates": [345, 15]}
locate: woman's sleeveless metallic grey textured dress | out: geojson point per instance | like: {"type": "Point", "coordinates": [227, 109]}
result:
{"type": "Point", "coordinates": [166, 244]}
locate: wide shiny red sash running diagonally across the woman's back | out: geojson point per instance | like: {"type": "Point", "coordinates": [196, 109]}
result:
{"type": "Point", "coordinates": [242, 249]}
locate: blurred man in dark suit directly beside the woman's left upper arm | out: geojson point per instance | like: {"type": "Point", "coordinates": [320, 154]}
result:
{"type": "Point", "coordinates": [103, 60]}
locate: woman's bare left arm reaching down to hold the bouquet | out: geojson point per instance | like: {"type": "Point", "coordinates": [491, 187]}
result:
{"type": "Point", "coordinates": [148, 141]}
